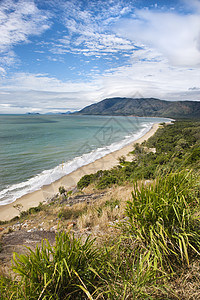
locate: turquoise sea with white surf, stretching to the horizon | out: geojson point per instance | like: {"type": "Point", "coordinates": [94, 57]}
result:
{"type": "Point", "coordinates": [36, 150]}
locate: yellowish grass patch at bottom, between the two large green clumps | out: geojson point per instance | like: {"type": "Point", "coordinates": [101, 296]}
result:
{"type": "Point", "coordinates": [130, 274]}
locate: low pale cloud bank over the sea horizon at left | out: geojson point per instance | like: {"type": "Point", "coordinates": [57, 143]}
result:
{"type": "Point", "coordinates": [26, 92]}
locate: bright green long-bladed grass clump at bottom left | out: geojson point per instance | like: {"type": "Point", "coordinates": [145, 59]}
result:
{"type": "Point", "coordinates": [65, 271]}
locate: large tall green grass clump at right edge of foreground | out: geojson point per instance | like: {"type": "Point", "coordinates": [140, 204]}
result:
{"type": "Point", "coordinates": [162, 219]}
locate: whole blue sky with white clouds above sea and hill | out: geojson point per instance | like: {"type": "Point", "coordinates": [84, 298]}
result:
{"type": "Point", "coordinates": [58, 56]}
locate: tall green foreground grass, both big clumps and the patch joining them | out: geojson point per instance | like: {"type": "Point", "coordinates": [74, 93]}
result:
{"type": "Point", "coordinates": [161, 232]}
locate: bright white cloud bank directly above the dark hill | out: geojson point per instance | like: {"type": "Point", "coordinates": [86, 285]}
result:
{"type": "Point", "coordinates": [151, 75]}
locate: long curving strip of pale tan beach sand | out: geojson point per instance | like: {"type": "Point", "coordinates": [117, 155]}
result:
{"type": "Point", "coordinates": [33, 199]}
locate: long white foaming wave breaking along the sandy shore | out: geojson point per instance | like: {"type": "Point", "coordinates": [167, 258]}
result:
{"type": "Point", "coordinates": [15, 191]}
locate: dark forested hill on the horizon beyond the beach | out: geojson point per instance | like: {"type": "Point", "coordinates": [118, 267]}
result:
{"type": "Point", "coordinates": [142, 107]}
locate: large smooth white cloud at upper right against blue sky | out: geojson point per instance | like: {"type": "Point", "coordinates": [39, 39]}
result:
{"type": "Point", "coordinates": [174, 35]}
